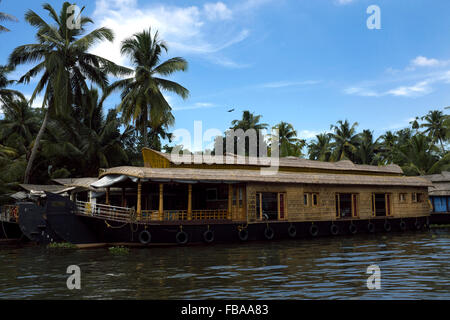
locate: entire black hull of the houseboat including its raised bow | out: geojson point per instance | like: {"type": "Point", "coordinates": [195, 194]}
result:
{"type": "Point", "coordinates": [58, 221]}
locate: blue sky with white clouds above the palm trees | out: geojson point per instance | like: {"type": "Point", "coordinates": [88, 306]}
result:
{"type": "Point", "coordinates": [309, 63]}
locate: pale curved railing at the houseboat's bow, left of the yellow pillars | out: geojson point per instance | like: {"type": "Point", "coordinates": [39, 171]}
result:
{"type": "Point", "coordinates": [104, 211]}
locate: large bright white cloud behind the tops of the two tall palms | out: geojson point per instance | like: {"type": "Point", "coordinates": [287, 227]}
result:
{"type": "Point", "coordinates": [187, 30]}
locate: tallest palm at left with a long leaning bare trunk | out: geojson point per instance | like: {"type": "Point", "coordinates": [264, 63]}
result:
{"type": "Point", "coordinates": [65, 65]}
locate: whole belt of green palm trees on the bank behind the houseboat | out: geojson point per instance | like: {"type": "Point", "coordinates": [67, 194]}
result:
{"type": "Point", "coordinates": [74, 135]}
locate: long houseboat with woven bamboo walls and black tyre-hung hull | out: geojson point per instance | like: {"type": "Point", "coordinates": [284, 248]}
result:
{"type": "Point", "coordinates": [165, 202]}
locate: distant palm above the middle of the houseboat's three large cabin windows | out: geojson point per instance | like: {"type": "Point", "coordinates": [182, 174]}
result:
{"type": "Point", "coordinates": [345, 140]}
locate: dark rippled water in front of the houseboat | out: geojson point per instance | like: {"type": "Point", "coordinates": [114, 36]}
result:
{"type": "Point", "coordinates": [413, 266]}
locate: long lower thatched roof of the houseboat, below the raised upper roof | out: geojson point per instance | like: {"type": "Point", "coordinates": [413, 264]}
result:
{"type": "Point", "coordinates": [223, 176]}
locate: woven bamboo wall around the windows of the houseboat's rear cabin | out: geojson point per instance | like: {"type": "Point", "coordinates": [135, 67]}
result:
{"type": "Point", "coordinates": [326, 210]}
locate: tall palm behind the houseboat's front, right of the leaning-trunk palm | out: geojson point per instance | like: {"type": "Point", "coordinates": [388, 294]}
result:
{"type": "Point", "coordinates": [142, 99]}
